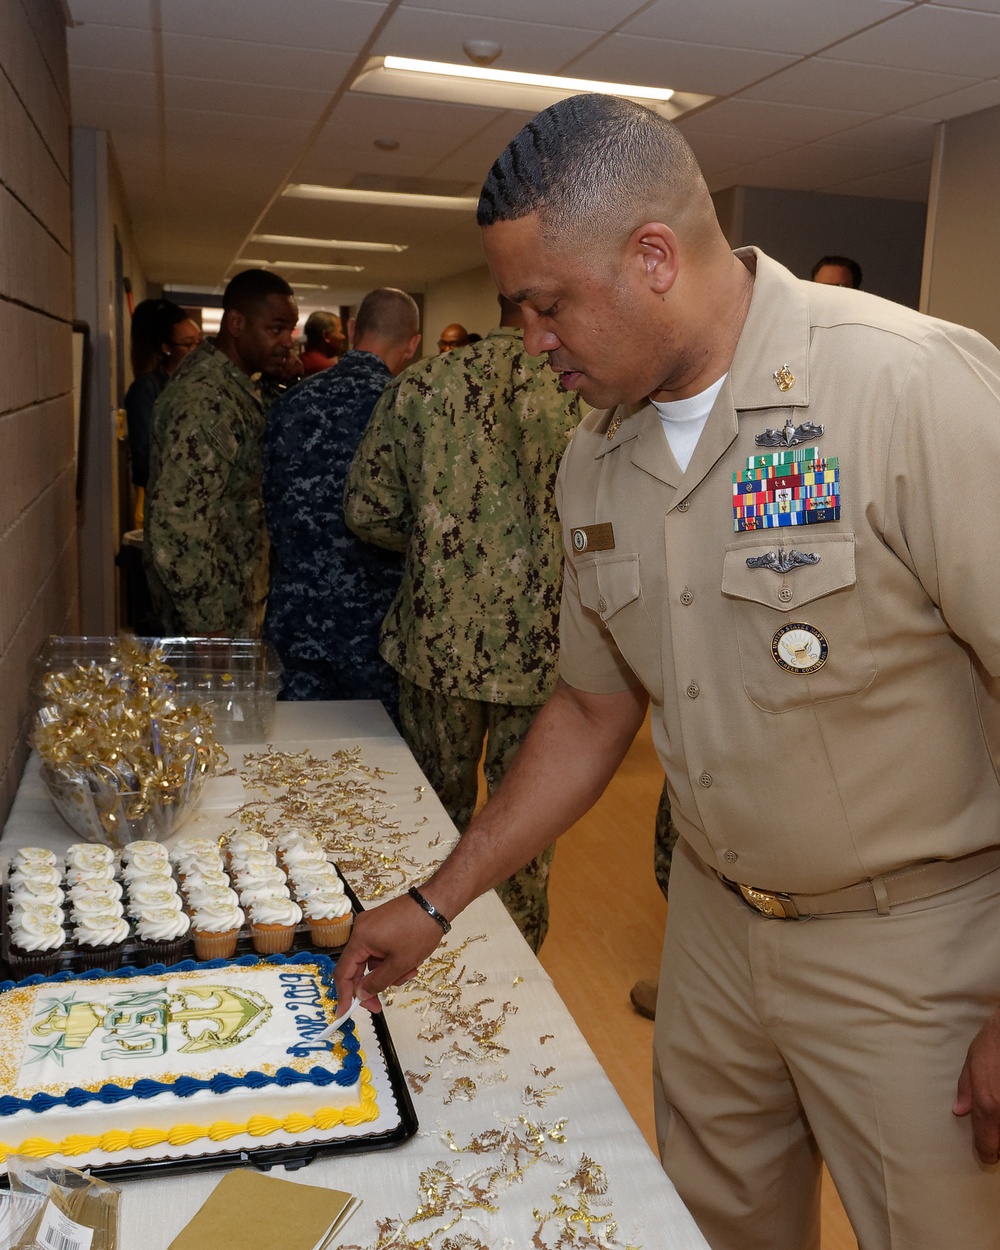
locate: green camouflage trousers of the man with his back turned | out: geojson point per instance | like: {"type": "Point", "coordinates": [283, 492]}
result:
{"type": "Point", "coordinates": [447, 737]}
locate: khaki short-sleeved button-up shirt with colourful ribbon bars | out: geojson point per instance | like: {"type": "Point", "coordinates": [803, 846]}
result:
{"type": "Point", "coordinates": [888, 754]}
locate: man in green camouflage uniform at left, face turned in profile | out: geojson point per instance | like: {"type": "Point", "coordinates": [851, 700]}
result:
{"type": "Point", "coordinates": [206, 541]}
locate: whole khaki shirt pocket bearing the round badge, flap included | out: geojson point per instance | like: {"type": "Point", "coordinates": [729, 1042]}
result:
{"type": "Point", "coordinates": [823, 597]}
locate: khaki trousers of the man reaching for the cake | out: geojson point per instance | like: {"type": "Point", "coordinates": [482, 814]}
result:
{"type": "Point", "coordinates": [779, 1043]}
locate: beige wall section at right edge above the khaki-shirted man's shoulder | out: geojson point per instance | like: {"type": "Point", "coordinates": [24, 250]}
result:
{"type": "Point", "coordinates": [962, 267]}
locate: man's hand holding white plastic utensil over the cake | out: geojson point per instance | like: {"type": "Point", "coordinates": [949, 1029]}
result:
{"type": "Point", "coordinates": [391, 943]}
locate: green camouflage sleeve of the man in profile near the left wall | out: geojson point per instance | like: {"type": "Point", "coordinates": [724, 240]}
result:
{"type": "Point", "coordinates": [197, 452]}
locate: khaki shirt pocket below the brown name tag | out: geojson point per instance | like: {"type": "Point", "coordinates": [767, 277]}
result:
{"type": "Point", "coordinates": [612, 587]}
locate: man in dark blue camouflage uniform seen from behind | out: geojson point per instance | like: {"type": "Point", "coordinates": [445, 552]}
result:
{"type": "Point", "coordinates": [331, 591]}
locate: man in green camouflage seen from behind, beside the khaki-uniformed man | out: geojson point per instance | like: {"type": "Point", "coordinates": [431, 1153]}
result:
{"type": "Point", "coordinates": [457, 469]}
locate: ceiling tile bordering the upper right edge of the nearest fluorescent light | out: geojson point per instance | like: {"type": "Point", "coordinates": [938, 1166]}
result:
{"type": "Point", "coordinates": [684, 67]}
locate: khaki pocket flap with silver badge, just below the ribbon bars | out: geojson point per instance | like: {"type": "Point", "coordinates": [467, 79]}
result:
{"type": "Point", "coordinates": [799, 578]}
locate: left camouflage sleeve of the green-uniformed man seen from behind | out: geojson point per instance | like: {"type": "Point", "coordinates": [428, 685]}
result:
{"type": "Point", "coordinates": [377, 499]}
